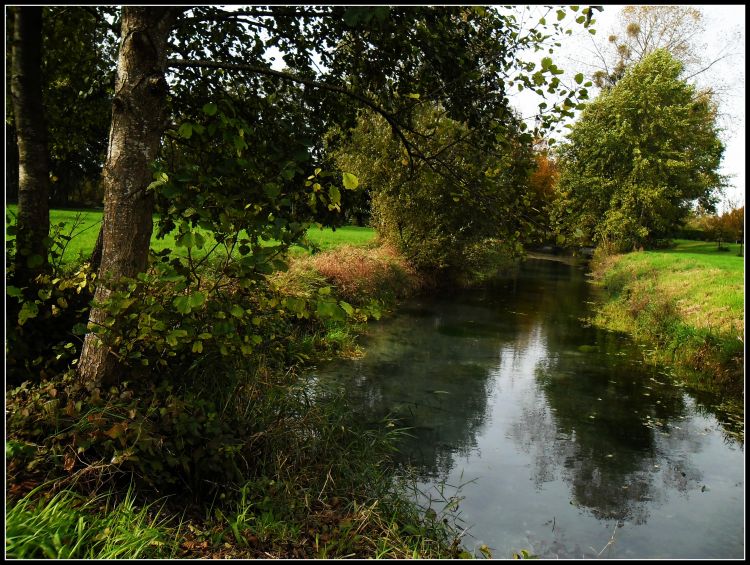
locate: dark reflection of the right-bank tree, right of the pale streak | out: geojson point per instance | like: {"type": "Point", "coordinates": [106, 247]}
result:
{"type": "Point", "coordinates": [600, 419]}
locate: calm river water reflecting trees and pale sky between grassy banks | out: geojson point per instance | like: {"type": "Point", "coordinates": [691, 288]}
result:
{"type": "Point", "coordinates": [554, 435]}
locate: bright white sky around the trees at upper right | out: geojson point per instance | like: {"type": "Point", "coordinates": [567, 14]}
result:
{"type": "Point", "coordinates": [728, 75]}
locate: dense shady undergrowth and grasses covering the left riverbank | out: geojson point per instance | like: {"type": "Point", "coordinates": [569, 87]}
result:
{"type": "Point", "coordinates": [200, 451]}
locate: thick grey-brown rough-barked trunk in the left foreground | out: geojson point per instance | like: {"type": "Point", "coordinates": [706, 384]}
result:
{"type": "Point", "coordinates": [138, 121]}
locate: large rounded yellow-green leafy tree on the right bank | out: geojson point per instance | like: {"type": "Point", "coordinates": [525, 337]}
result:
{"type": "Point", "coordinates": [640, 154]}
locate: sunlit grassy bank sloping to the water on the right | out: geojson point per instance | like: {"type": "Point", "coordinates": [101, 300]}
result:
{"type": "Point", "coordinates": [686, 304]}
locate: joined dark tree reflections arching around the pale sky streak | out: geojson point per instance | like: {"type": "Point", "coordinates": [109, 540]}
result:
{"type": "Point", "coordinates": [600, 420]}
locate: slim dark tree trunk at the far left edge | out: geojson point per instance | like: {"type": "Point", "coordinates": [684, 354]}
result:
{"type": "Point", "coordinates": [33, 169]}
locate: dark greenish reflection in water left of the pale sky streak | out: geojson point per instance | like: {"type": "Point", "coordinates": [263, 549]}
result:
{"type": "Point", "coordinates": [431, 372]}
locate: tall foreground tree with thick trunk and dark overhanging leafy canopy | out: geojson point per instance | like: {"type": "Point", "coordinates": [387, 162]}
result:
{"type": "Point", "coordinates": [228, 97]}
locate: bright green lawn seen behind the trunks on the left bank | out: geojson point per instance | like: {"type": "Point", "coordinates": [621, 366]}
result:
{"type": "Point", "coordinates": [85, 232]}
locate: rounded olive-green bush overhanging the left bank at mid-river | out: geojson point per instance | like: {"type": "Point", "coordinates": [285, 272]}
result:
{"type": "Point", "coordinates": [434, 210]}
